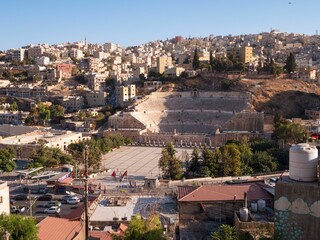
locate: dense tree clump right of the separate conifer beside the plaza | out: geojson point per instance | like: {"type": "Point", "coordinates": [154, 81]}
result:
{"type": "Point", "coordinates": [232, 159]}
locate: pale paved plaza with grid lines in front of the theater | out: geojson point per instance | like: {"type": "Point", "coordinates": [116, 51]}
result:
{"type": "Point", "coordinates": [138, 161]}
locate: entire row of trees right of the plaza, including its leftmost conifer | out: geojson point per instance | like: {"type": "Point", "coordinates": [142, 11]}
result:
{"type": "Point", "coordinates": [232, 159]}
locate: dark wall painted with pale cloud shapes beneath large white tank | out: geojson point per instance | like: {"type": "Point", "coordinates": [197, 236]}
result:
{"type": "Point", "coordinates": [297, 210]}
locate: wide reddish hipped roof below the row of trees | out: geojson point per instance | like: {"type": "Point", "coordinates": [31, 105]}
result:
{"type": "Point", "coordinates": [226, 193]}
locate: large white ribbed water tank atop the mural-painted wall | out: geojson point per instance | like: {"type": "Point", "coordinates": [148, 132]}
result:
{"type": "Point", "coordinates": [303, 160]}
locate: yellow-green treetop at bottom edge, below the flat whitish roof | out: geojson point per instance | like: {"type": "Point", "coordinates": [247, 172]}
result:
{"type": "Point", "coordinates": [143, 229]}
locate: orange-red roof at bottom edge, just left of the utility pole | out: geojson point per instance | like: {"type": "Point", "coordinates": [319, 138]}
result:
{"type": "Point", "coordinates": [52, 228]}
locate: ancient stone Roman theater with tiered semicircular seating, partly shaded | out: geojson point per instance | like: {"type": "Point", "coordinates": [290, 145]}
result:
{"type": "Point", "coordinates": [189, 118]}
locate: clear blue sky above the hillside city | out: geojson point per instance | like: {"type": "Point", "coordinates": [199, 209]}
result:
{"type": "Point", "coordinates": [132, 22]}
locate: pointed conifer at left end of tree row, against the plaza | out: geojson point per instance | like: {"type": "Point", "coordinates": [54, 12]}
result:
{"type": "Point", "coordinates": [169, 164]}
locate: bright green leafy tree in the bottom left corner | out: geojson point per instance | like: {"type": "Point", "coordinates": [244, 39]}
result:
{"type": "Point", "coordinates": [19, 226]}
